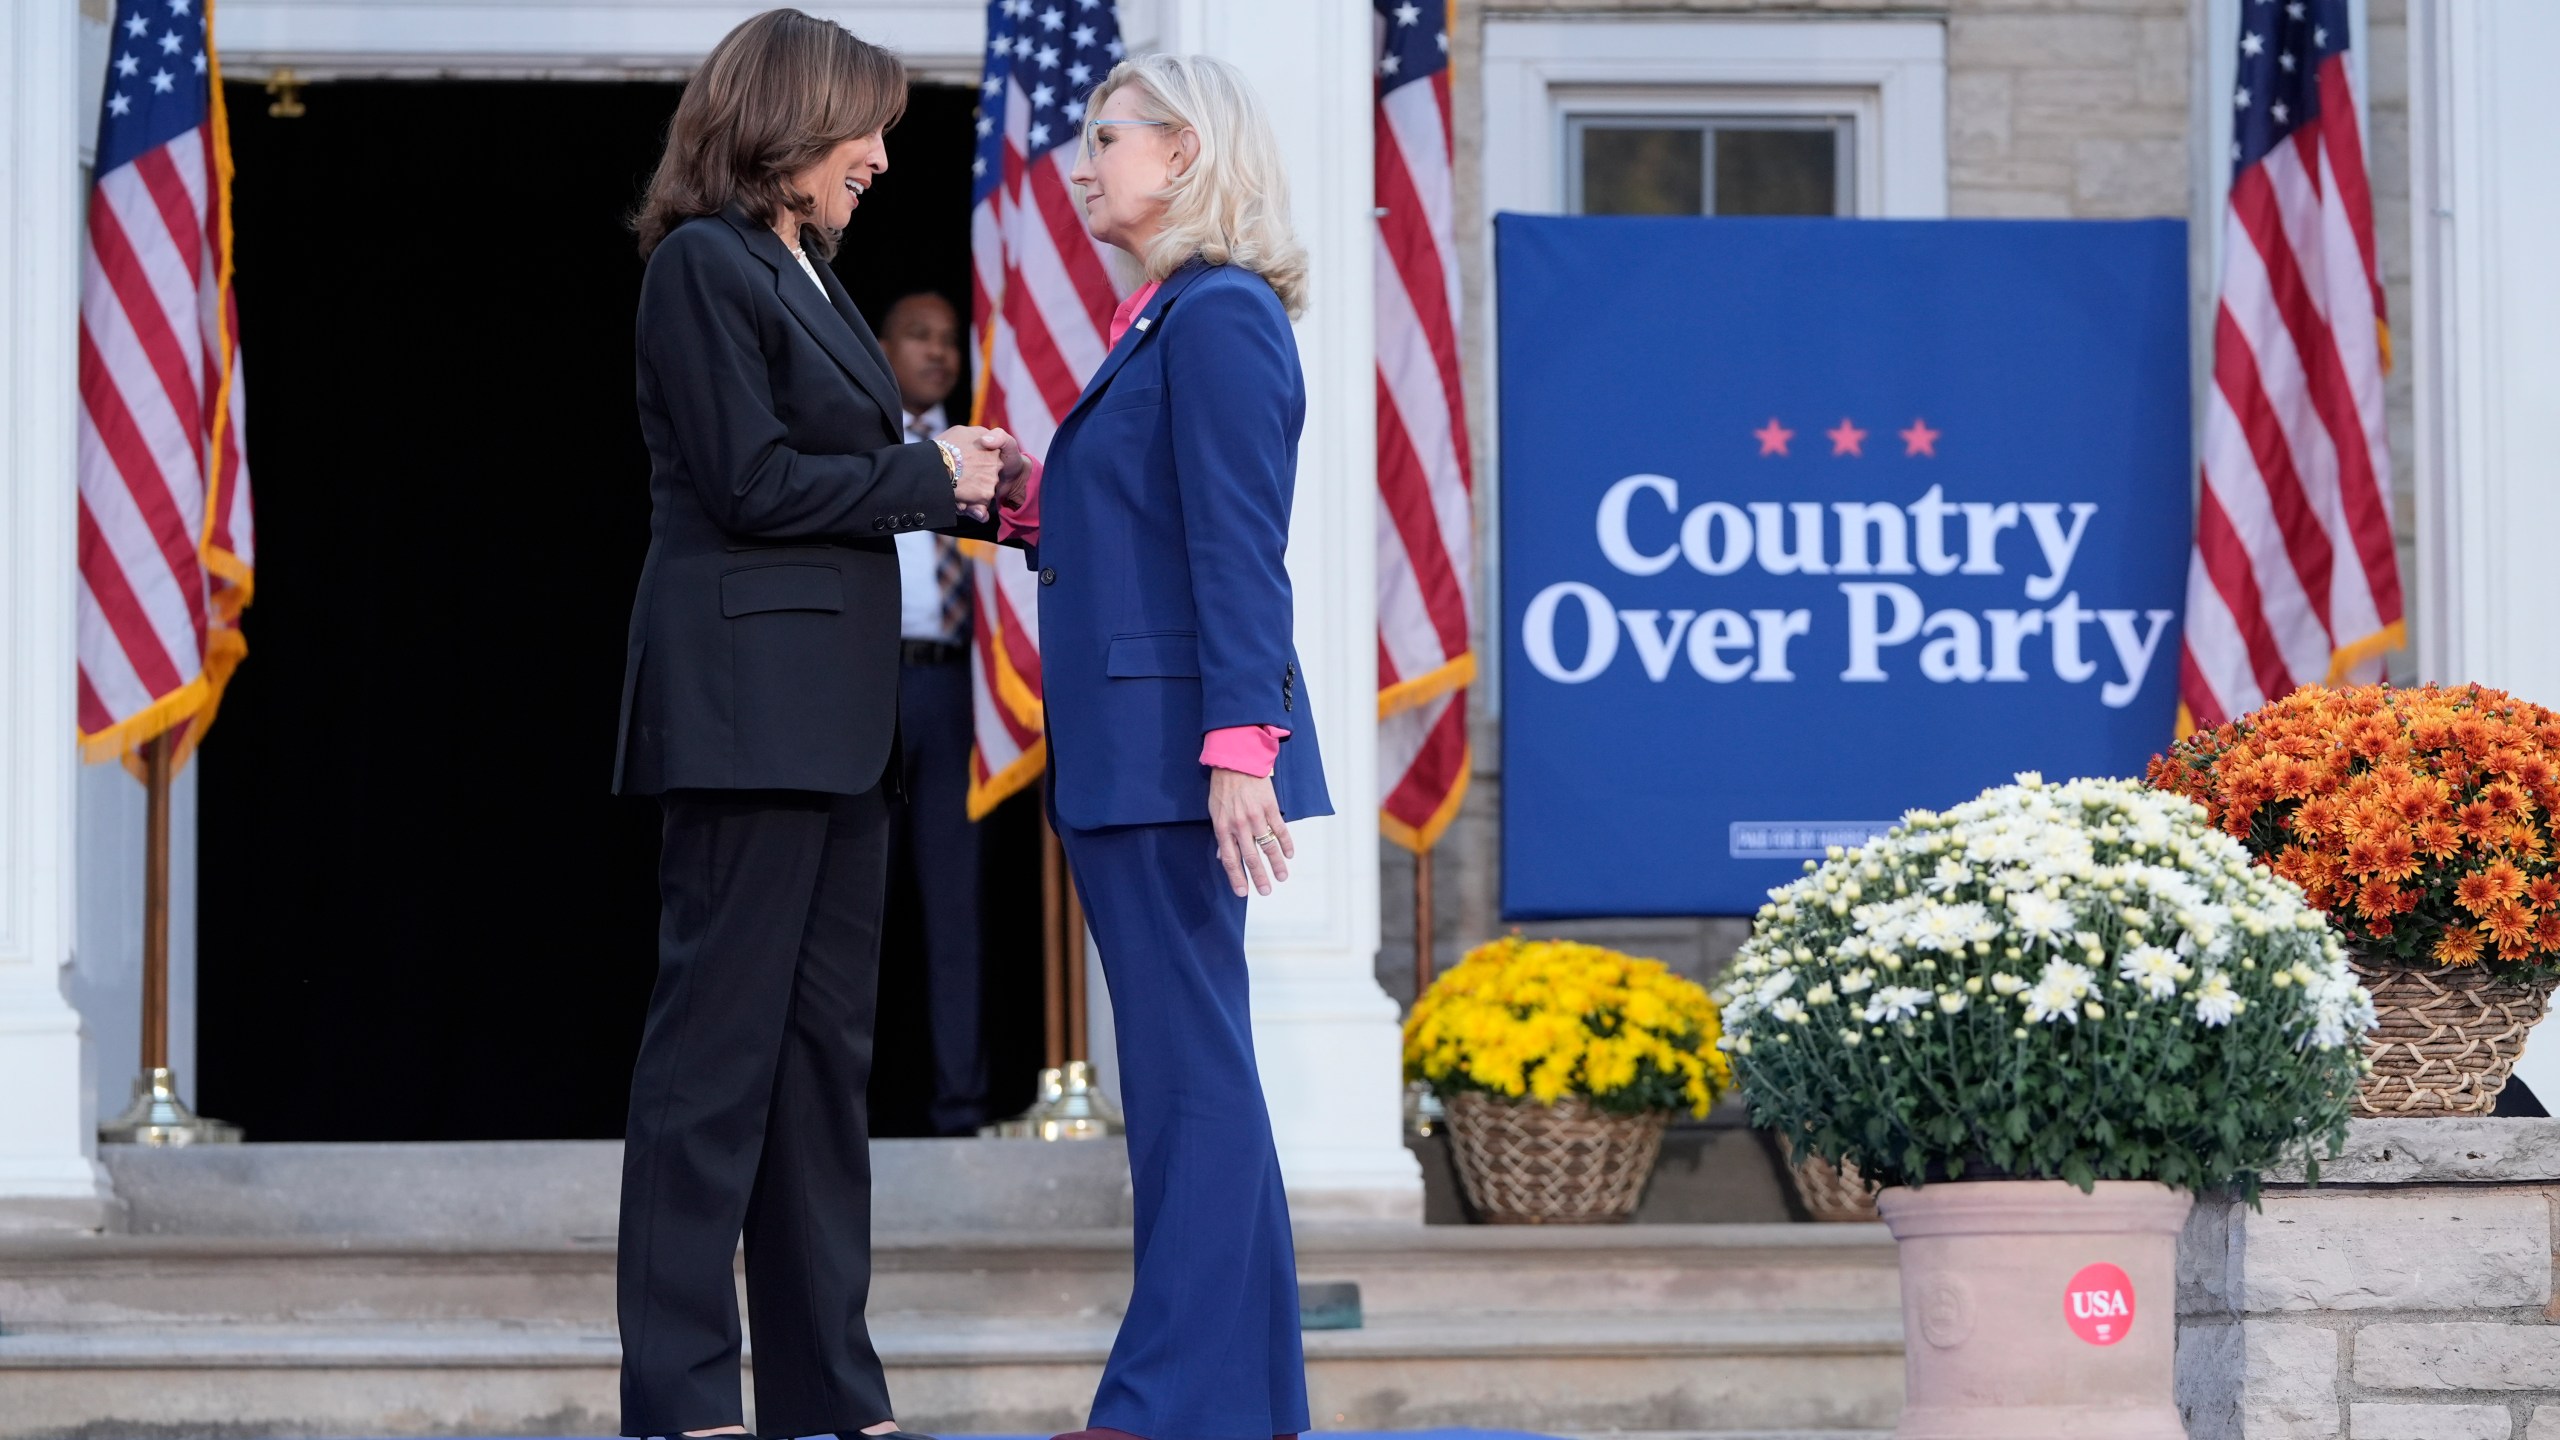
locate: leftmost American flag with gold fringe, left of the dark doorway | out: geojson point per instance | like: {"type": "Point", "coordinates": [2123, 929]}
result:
{"type": "Point", "coordinates": [165, 532]}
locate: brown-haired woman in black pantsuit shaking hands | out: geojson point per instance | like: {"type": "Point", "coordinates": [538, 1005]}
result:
{"type": "Point", "coordinates": [759, 706]}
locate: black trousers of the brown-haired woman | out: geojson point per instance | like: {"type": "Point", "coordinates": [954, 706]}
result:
{"type": "Point", "coordinates": [749, 1118]}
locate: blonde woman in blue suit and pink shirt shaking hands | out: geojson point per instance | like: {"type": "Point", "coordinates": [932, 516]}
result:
{"type": "Point", "coordinates": [1181, 742]}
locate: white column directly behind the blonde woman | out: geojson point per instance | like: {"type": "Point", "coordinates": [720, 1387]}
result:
{"type": "Point", "coordinates": [1327, 1036]}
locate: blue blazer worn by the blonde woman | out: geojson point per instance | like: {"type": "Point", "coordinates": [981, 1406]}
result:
{"type": "Point", "coordinates": [1164, 527]}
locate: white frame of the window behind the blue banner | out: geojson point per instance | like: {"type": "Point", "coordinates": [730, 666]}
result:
{"type": "Point", "coordinates": [1885, 76]}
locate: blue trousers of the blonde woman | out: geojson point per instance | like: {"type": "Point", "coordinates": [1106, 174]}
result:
{"type": "Point", "coordinates": [1210, 1346]}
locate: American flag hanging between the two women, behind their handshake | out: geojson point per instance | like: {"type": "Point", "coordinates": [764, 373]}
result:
{"type": "Point", "coordinates": [1041, 322]}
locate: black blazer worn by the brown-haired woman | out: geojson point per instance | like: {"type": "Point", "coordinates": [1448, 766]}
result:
{"type": "Point", "coordinates": [764, 647]}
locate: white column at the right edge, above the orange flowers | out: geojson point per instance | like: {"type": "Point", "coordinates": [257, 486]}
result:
{"type": "Point", "coordinates": [2487, 352]}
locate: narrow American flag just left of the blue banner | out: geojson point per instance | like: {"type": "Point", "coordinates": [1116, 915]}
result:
{"type": "Point", "coordinates": [1425, 511]}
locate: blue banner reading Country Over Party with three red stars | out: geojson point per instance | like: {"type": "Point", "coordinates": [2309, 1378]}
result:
{"type": "Point", "coordinates": [1816, 521]}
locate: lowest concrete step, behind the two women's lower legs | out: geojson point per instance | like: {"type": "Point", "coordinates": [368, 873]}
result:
{"type": "Point", "coordinates": [1522, 1372]}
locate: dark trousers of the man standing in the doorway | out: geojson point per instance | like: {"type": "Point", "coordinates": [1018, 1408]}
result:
{"type": "Point", "coordinates": [938, 842]}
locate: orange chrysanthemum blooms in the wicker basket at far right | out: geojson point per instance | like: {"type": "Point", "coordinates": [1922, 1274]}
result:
{"type": "Point", "coordinates": [2420, 819]}
